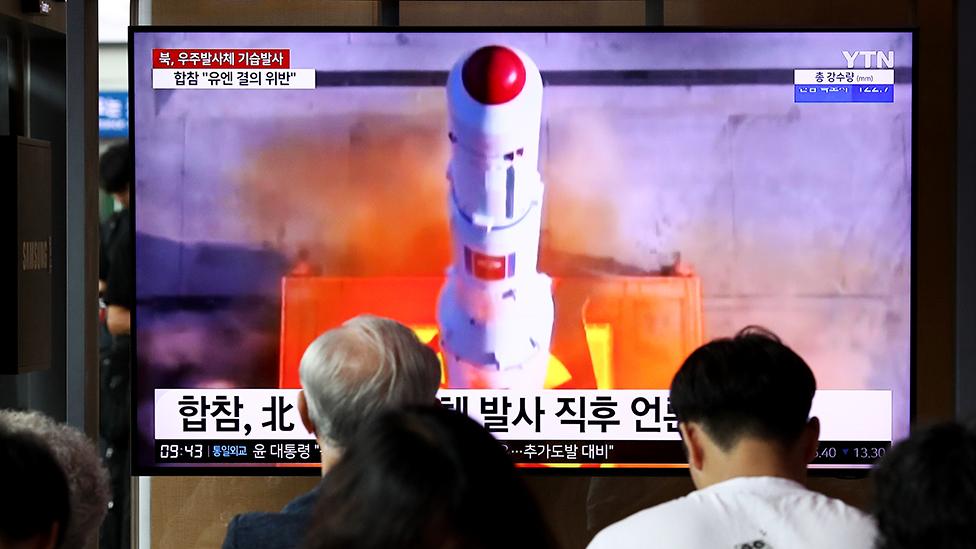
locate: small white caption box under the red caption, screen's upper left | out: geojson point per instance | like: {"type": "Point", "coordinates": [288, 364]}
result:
{"type": "Point", "coordinates": [233, 79]}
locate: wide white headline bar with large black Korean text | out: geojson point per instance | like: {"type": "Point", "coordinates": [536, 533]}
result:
{"type": "Point", "coordinates": [856, 415]}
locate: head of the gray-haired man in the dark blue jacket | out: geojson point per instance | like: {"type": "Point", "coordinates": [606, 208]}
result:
{"type": "Point", "coordinates": [351, 373]}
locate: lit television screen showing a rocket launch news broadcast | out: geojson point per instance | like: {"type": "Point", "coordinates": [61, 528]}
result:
{"type": "Point", "coordinates": [562, 216]}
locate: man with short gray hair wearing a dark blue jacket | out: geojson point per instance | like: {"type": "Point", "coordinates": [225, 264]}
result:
{"type": "Point", "coordinates": [349, 375]}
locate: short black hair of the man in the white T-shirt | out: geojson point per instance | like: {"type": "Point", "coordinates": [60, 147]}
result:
{"type": "Point", "coordinates": [748, 385]}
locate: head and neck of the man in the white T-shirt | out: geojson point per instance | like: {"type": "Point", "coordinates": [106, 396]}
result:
{"type": "Point", "coordinates": [745, 400]}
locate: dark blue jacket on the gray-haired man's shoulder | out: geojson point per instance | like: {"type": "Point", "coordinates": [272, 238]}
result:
{"type": "Point", "coordinates": [284, 530]}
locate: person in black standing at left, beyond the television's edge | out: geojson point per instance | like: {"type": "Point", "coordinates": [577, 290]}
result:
{"type": "Point", "coordinates": [117, 289]}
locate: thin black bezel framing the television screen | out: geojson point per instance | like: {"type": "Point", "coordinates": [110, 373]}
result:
{"type": "Point", "coordinates": [665, 470]}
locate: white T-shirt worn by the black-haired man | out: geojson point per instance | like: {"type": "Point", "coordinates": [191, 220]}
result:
{"type": "Point", "coordinates": [744, 513]}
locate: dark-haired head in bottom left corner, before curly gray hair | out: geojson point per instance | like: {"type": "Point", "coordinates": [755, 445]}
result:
{"type": "Point", "coordinates": [34, 507]}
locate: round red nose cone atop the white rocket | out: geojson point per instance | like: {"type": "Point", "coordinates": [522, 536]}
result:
{"type": "Point", "coordinates": [493, 75]}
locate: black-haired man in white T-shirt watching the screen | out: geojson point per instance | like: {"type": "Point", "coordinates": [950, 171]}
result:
{"type": "Point", "coordinates": [743, 408]}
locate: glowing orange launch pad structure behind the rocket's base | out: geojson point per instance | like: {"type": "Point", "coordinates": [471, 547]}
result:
{"type": "Point", "coordinates": [609, 332]}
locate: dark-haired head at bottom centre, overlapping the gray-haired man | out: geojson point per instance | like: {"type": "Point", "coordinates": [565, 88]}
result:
{"type": "Point", "coordinates": [425, 478]}
